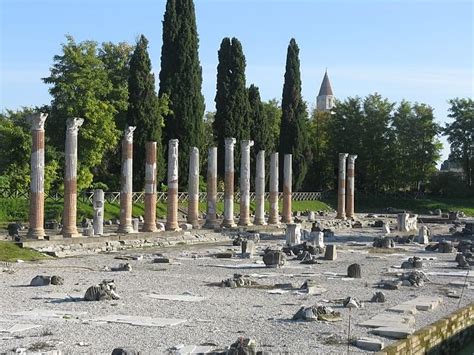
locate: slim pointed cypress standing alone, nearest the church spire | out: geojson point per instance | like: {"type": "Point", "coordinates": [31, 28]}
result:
{"type": "Point", "coordinates": [294, 120]}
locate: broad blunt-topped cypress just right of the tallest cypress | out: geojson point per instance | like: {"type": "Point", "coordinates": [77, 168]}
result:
{"type": "Point", "coordinates": [232, 105]}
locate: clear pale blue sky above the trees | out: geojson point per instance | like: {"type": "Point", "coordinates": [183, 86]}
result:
{"type": "Point", "coordinates": [416, 50]}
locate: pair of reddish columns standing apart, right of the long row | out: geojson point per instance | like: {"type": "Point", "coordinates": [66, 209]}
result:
{"type": "Point", "coordinates": [345, 201]}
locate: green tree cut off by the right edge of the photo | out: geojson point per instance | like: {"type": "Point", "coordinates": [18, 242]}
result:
{"type": "Point", "coordinates": [460, 135]}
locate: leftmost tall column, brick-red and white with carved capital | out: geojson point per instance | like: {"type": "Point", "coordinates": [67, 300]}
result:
{"type": "Point", "coordinates": [36, 217]}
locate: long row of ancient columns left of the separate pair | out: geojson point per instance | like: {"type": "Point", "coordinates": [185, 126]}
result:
{"type": "Point", "coordinates": [36, 229]}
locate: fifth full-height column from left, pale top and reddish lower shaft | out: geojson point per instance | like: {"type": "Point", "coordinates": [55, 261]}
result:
{"type": "Point", "coordinates": [172, 200]}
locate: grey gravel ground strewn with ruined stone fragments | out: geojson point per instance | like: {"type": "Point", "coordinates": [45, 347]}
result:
{"type": "Point", "coordinates": [226, 314]}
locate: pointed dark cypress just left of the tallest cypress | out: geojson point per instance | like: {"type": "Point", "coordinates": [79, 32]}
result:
{"type": "Point", "coordinates": [143, 112]}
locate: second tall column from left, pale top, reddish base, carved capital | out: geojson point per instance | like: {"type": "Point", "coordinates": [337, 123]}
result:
{"type": "Point", "coordinates": [70, 179]}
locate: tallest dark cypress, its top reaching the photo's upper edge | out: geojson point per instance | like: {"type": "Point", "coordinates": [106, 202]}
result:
{"type": "Point", "coordinates": [181, 80]}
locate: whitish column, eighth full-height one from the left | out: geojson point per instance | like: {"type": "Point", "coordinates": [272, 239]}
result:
{"type": "Point", "coordinates": [229, 184]}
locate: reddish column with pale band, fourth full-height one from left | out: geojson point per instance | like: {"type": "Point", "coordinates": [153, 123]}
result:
{"type": "Point", "coordinates": [149, 223]}
